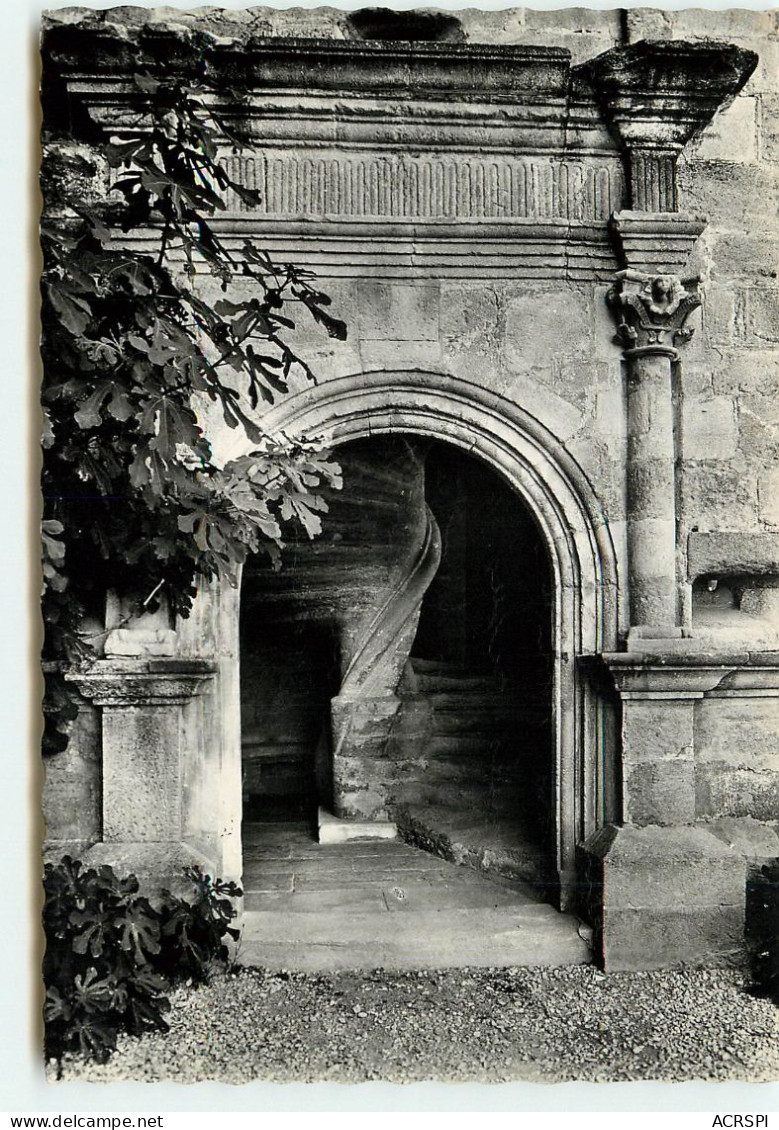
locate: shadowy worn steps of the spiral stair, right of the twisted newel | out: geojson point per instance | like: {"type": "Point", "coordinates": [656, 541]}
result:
{"type": "Point", "coordinates": [470, 792]}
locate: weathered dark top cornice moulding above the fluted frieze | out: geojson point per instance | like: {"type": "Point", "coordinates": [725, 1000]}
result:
{"type": "Point", "coordinates": [328, 93]}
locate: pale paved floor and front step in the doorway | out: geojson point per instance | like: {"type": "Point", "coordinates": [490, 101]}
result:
{"type": "Point", "coordinates": [376, 905]}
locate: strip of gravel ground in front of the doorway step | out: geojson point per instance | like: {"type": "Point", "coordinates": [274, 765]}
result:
{"type": "Point", "coordinates": [489, 1025]}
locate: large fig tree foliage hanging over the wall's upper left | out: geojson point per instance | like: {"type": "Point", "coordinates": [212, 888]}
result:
{"type": "Point", "coordinates": [151, 320]}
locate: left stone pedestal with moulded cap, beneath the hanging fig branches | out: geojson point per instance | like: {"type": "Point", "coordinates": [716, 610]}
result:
{"type": "Point", "coordinates": [143, 773]}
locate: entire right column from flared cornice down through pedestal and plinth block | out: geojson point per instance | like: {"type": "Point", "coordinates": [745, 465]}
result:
{"type": "Point", "coordinates": [661, 890]}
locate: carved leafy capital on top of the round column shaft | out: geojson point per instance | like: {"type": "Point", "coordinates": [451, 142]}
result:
{"type": "Point", "coordinates": [651, 311]}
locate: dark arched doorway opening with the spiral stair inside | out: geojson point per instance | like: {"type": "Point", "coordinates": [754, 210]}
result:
{"type": "Point", "coordinates": [457, 745]}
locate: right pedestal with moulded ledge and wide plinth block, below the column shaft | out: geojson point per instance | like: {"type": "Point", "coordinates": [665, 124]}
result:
{"type": "Point", "coordinates": [665, 890]}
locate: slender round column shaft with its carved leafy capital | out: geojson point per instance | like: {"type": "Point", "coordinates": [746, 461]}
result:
{"type": "Point", "coordinates": [651, 312]}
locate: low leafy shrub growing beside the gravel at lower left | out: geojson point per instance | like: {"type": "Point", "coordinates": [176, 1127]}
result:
{"type": "Point", "coordinates": [111, 955]}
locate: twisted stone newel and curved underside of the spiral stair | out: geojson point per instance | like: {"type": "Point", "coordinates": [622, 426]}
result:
{"type": "Point", "coordinates": [365, 577]}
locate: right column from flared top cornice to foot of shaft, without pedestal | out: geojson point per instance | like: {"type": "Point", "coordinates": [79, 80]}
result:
{"type": "Point", "coordinates": [657, 97]}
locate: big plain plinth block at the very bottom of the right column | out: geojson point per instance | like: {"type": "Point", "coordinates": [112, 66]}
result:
{"type": "Point", "coordinates": [665, 898]}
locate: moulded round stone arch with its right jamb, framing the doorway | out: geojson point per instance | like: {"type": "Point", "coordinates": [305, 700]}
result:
{"type": "Point", "coordinates": [572, 523]}
